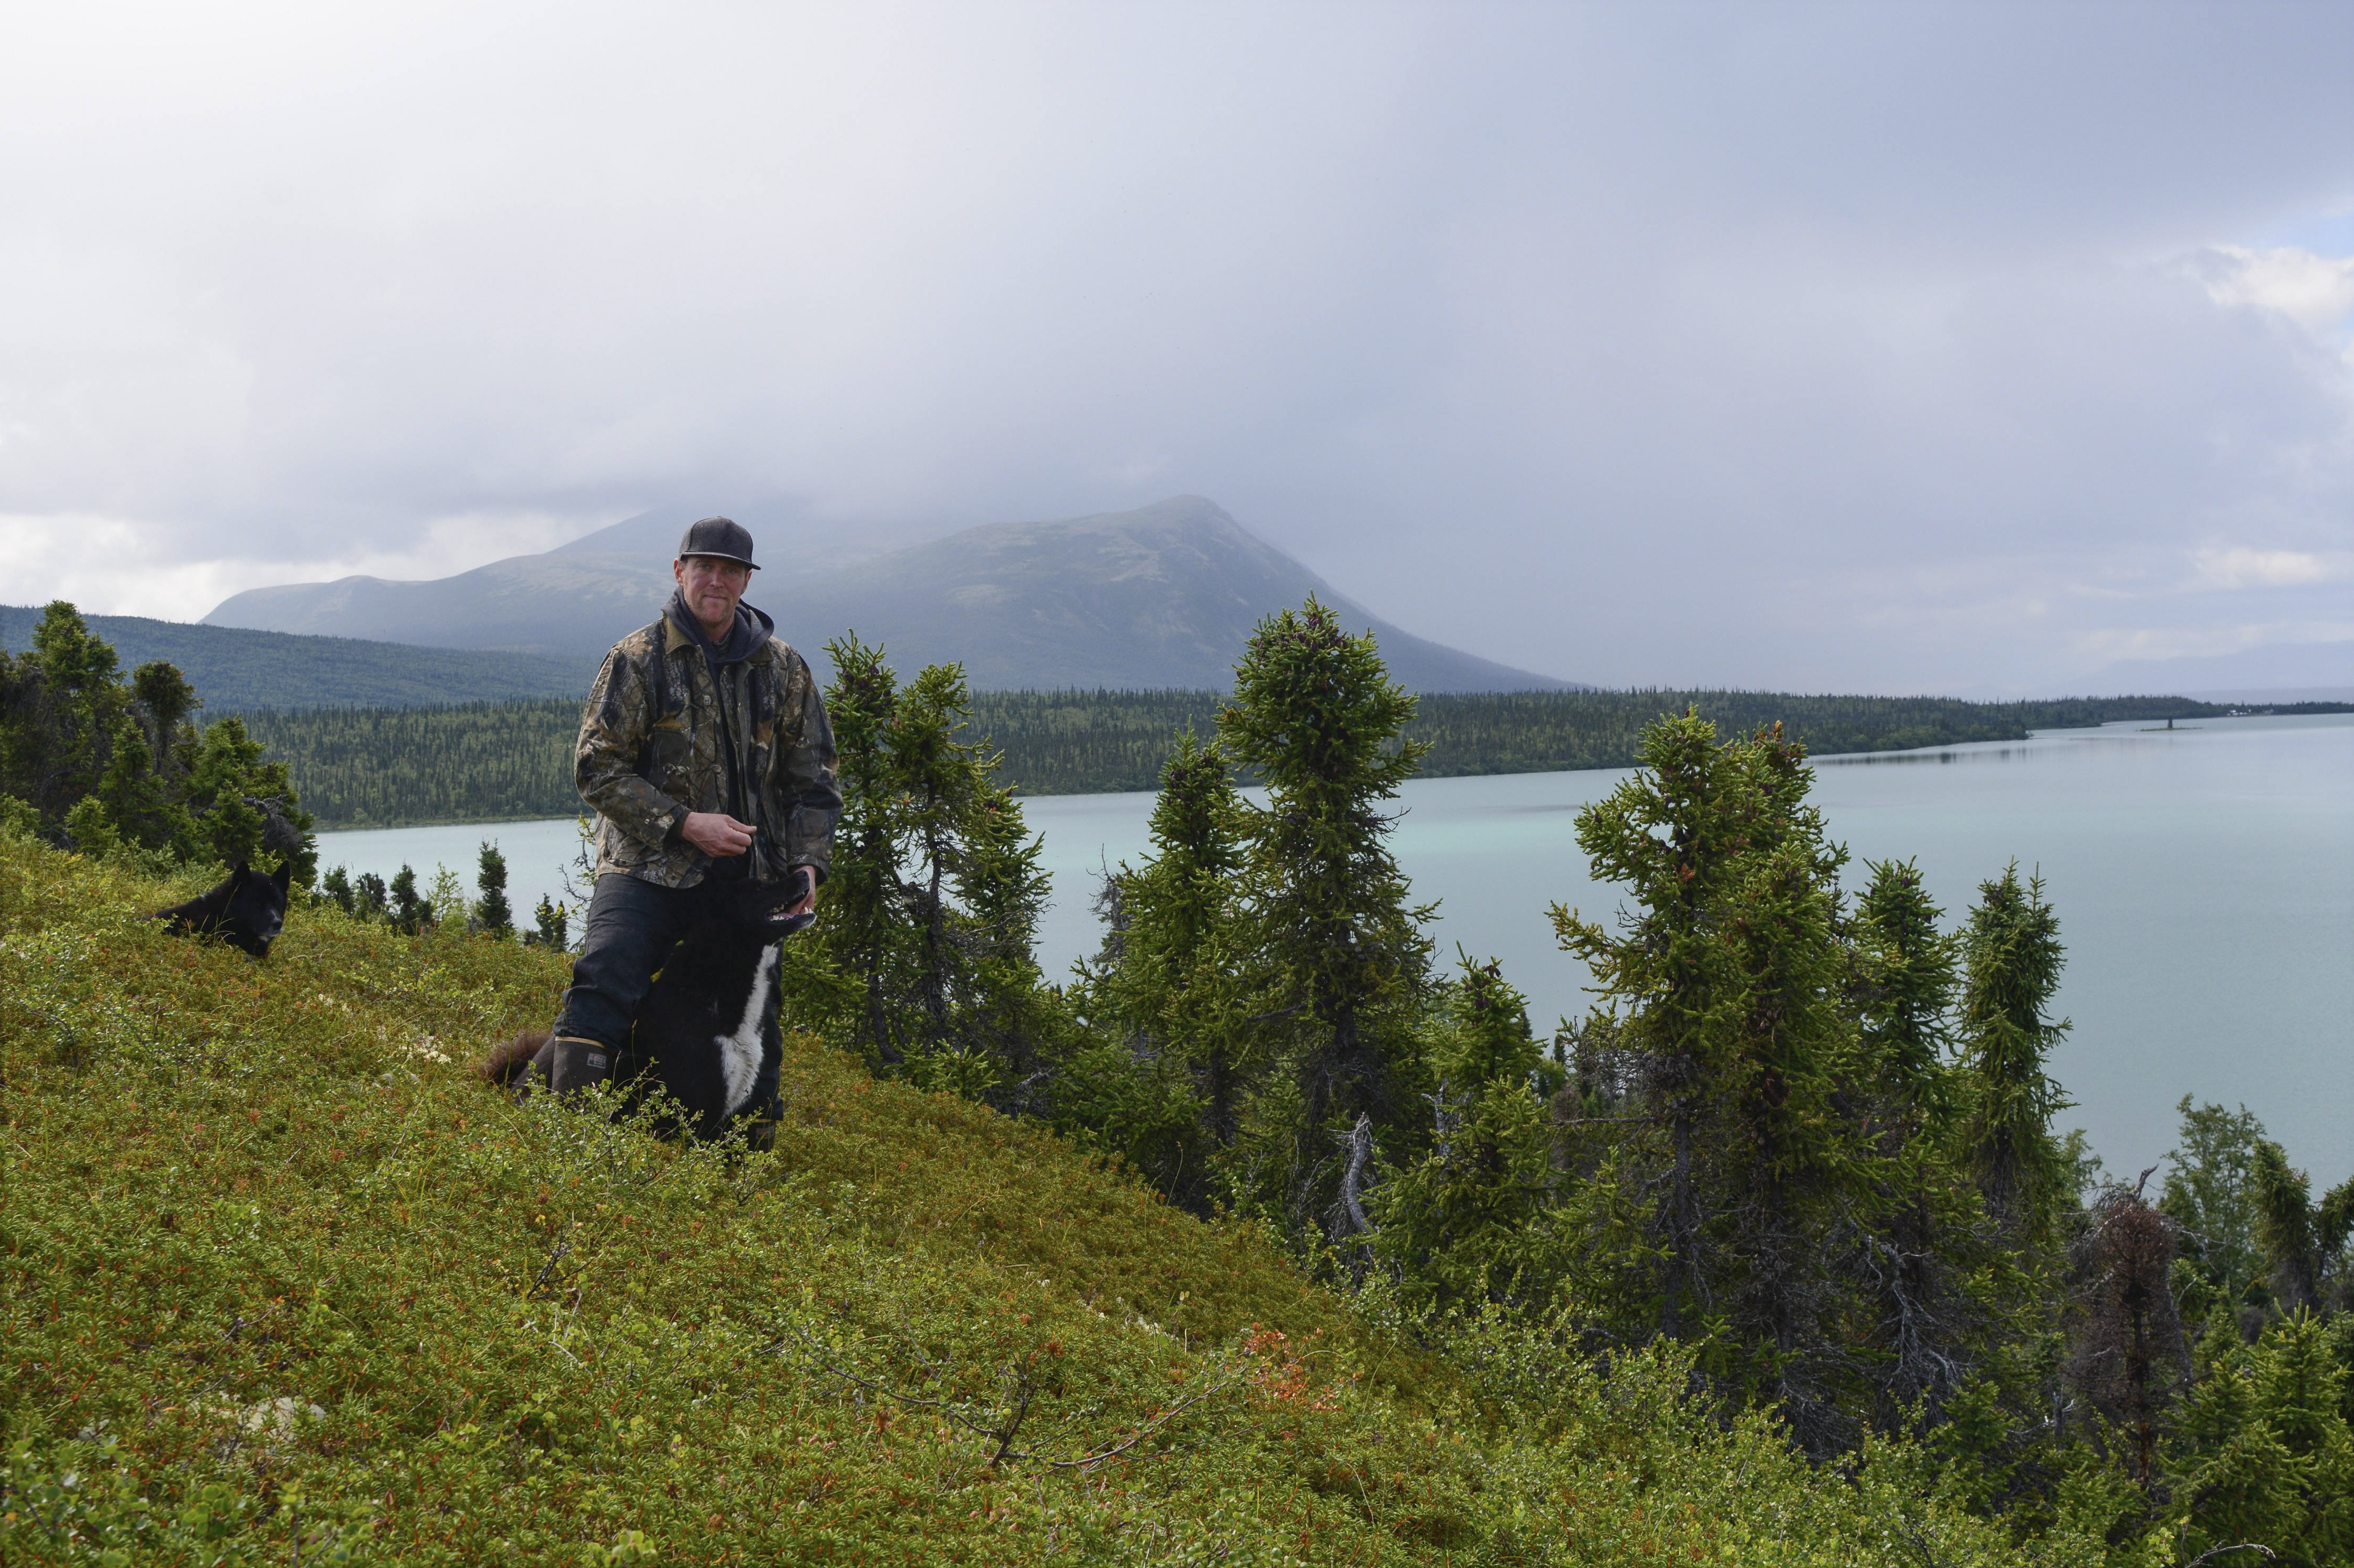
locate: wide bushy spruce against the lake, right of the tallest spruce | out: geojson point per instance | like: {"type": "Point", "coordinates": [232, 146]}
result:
{"type": "Point", "coordinates": [1743, 1164]}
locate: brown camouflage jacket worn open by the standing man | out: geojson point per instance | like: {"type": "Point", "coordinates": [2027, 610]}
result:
{"type": "Point", "coordinates": [653, 750]}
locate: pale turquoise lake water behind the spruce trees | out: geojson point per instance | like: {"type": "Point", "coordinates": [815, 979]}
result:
{"type": "Point", "coordinates": [2205, 882]}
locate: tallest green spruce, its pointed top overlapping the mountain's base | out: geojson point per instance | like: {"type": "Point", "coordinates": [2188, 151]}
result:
{"type": "Point", "coordinates": [1336, 957]}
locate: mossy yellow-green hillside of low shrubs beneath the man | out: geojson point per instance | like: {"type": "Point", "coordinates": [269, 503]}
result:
{"type": "Point", "coordinates": [277, 1275]}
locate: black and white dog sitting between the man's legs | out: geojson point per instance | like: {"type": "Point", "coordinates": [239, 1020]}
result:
{"type": "Point", "coordinates": [707, 1030]}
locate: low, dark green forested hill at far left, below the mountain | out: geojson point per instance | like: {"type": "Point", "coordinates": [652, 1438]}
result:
{"type": "Point", "coordinates": [237, 670]}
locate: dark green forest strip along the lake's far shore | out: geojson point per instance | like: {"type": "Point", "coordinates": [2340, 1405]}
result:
{"type": "Point", "coordinates": [505, 762]}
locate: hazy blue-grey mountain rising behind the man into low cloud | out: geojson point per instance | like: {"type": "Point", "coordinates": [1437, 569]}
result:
{"type": "Point", "coordinates": [1162, 597]}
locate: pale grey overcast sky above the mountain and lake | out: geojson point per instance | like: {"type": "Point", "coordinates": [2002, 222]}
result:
{"type": "Point", "coordinates": [1868, 347]}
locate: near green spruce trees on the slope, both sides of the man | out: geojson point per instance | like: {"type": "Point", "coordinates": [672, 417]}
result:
{"type": "Point", "coordinates": [1807, 1131]}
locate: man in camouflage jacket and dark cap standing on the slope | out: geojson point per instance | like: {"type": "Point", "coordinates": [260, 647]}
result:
{"type": "Point", "coordinates": [710, 759]}
